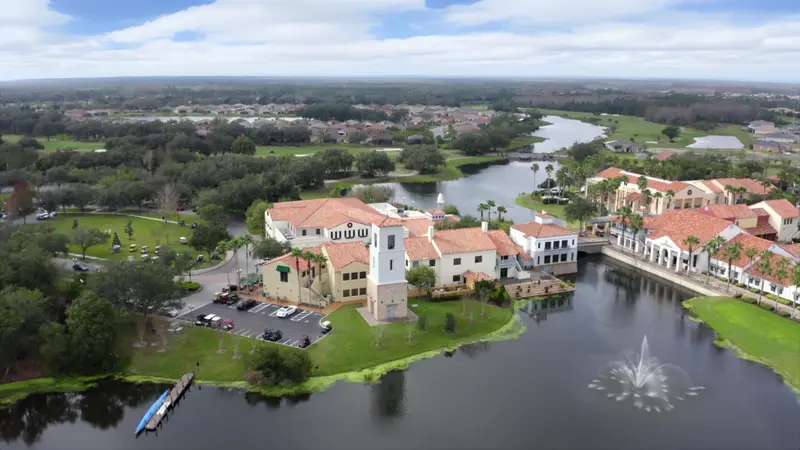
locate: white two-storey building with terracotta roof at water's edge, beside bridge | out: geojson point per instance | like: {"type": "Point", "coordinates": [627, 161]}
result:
{"type": "Point", "coordinates": [549, 244]}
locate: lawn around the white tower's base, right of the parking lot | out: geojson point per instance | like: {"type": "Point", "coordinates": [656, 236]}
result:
{"type": "Point", "coordinates": [351, 346]}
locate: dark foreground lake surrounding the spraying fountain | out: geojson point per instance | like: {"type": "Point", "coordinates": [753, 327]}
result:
{"type": "Point", "coordinates": [521, 394]}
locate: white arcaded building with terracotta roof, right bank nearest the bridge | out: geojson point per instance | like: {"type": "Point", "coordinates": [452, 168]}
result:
{"type": "Point", "coordinates": [665, 243]}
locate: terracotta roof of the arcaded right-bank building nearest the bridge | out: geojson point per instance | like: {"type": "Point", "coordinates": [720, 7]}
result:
{"type": "Point", "coordinates": [679, 224]}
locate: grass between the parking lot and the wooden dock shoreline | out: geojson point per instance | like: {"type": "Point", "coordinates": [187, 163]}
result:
{"type": "Point", "coordinates": [197, 345]}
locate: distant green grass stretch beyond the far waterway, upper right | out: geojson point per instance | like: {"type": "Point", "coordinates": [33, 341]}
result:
{"type": "Point", "coordinates": [642, 131]}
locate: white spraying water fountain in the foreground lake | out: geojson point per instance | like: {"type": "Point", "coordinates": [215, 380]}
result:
{"type": "Point", "coordinates": [650, 384]}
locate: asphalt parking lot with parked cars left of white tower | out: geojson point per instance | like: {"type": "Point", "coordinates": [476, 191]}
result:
{"type": "Point", "coordinates": [251, 324]}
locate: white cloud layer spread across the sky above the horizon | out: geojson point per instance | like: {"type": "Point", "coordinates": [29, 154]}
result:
{"type": "Point", "coordinates": [333, 37]}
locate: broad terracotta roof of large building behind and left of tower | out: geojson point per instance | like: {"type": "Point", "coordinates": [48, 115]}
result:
{"type": "Point", "coordinates": [325, 212]}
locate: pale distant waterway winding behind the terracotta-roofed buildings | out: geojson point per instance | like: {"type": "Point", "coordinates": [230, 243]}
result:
{"type": "Point", "coordinates": [500, 182]}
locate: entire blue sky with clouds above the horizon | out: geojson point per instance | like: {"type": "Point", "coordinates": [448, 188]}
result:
{"type": "Point", "coordinates": [686, 39]}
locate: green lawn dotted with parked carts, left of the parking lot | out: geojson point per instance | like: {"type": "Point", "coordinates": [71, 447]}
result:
{"type": "Point", "coordinates": [146, 232]}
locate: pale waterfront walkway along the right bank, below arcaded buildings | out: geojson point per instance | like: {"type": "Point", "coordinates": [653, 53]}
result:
{"type": "Point", "coordinates": [692, 281]}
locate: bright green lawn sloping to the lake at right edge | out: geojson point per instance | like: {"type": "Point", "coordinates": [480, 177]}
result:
{"type": "Point", "coordinates": [760, 334]}
